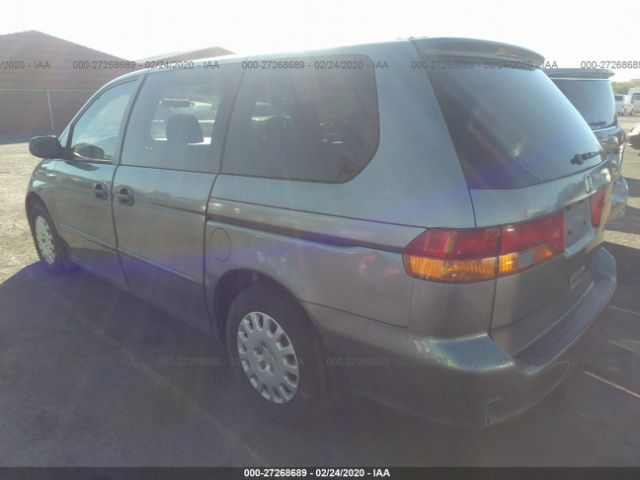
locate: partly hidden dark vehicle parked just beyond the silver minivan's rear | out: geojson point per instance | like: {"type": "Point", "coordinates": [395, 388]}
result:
{"type": "Point", "coordinates": [591, 93]}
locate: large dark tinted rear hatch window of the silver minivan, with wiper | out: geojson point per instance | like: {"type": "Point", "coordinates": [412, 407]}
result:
{"type": "Point", "coordinates": [511, 127]}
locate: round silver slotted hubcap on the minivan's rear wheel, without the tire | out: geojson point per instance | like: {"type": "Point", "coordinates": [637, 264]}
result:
{"type": "Point", "coordinates": [267, 357]}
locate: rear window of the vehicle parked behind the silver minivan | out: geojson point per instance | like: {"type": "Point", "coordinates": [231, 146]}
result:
{"type": "Point", "coordinates": [593, 99]}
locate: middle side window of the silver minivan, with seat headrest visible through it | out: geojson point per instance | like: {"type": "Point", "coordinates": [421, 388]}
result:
{"type": "Point", "coordinates": [172, 122]}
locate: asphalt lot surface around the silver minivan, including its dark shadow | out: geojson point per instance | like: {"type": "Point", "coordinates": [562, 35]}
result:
{"type": "Point", "coordinates": [90, 375]}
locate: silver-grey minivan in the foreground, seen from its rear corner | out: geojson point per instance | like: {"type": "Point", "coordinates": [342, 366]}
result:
{"type": "Point", "coordinates": [418, 221]}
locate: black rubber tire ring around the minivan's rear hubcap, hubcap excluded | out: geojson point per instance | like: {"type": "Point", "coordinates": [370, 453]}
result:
{"type": "Point", "coordinates": [291, 316]}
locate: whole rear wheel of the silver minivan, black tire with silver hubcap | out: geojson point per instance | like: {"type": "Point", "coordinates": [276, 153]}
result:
{"type": "Point", "coordinates": [261, 304]}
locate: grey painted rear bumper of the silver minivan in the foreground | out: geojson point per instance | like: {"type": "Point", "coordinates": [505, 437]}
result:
{"type": "Point", "coordinates": [469, 381]}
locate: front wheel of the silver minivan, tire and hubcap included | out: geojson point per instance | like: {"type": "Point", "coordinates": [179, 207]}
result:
{"type": "Point", "coordinates": [50, 247]}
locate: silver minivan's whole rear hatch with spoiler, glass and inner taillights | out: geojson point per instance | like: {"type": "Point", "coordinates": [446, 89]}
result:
{"type": "Point", "coordinates": [535, 171]}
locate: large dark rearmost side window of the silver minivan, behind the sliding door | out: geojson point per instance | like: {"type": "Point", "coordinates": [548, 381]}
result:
{"type": "Point", "coordinates": [318, 123]}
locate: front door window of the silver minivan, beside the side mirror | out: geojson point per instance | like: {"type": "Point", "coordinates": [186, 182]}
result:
{"type": "Point", "coordinates": [96, 133]}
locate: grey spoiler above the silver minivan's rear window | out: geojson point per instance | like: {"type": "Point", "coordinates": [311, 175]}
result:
{"type": "Point", "coordinates": [476, 49]}
